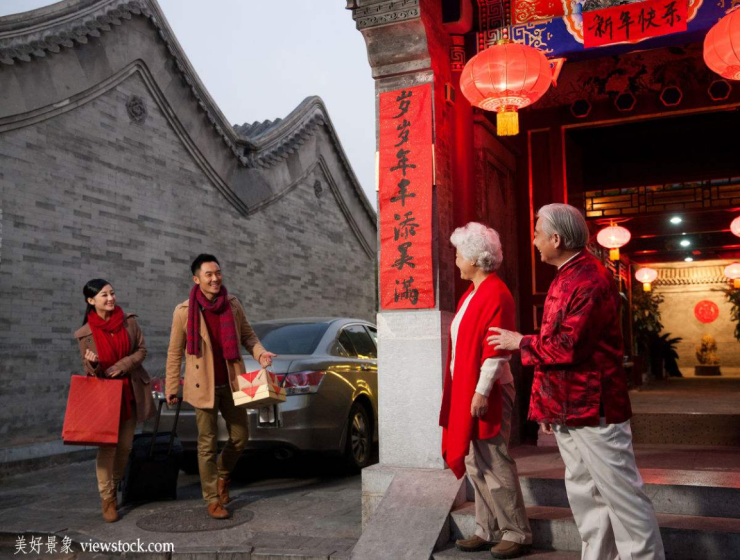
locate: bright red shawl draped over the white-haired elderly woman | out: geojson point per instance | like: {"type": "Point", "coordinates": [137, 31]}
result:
{"type": "Point", "coordinates": [491, 306]}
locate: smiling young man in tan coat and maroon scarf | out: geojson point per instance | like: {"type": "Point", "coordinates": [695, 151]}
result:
{"type": "Point", "coordinates": [209, 326]}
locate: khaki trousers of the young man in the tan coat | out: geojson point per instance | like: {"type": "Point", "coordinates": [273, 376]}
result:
{"type": "Point", "coordinates": [210, 466]}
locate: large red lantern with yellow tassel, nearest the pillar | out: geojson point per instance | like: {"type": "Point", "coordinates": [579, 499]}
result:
{"type": "Point", "coordinates": [505, 78]}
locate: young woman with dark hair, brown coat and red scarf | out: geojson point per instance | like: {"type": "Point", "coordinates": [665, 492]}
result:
{"type": "Point", "coordinates": [112, 345]}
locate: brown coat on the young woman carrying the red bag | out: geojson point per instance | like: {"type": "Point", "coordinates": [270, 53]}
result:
{"type": "Point", "coordinates": [130, 365]}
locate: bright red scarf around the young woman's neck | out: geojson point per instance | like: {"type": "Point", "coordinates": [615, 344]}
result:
{"type": "Point", "coordinates": [113, 343]}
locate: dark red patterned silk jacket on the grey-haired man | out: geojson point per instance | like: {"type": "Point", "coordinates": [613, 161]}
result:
{"type": "Point", "coordinates": [578, 353]}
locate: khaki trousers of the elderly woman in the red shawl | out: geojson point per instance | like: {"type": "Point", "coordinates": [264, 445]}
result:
{"type": "Point", "coordinates": [499, 506]}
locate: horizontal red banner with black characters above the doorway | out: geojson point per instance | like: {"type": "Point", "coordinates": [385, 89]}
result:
{"type": "Point", "coordinates": [631, 23]}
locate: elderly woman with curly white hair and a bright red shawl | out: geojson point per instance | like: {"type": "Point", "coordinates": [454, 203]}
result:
{"type": "Point", "coordinates": [479, 398]}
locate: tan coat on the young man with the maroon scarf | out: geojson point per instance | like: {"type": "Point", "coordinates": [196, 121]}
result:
{"type": "Point", "coordinates": [199, 385]}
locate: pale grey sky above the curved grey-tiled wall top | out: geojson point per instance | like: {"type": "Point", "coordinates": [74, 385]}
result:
{"type": "Point", "coordinates": [259, 59]}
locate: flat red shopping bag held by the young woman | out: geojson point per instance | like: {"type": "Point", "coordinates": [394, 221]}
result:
{"type": "Point", "coordinates": [93, 411]}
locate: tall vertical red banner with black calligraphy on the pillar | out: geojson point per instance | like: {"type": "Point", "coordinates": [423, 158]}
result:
{"type": "Point", "coordinates": [405, 183]}
